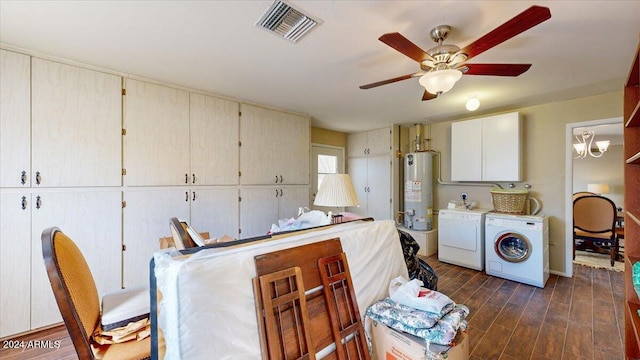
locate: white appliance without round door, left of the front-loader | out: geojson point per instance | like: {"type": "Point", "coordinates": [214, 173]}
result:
{"type": "Point", "coordinates": [461, 237]}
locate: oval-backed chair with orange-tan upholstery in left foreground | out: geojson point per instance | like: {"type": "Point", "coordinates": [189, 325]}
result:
{"type": "Point", "coordinates": [77, 297]}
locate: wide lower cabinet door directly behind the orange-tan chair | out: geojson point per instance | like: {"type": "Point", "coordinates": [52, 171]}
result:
{"type": "Point", "coordinates": [93, 220]}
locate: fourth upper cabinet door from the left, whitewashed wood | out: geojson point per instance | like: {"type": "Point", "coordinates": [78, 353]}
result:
{"type": "Point", "coordinates": [214, 130]}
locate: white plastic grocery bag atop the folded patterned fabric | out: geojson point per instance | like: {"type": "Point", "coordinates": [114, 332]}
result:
{"type": "Point", "coordinates": [411, 293]}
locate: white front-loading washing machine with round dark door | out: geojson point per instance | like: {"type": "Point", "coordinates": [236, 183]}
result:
{"type": "Point", "coordinates": [517, 248]}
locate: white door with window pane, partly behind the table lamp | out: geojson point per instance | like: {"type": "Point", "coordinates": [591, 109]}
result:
{"type": "Point", "coordinates": [324, 160]}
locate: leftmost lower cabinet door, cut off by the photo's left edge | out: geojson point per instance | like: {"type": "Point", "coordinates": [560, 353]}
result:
{"type": "Point", "coordinates": [15, 262]}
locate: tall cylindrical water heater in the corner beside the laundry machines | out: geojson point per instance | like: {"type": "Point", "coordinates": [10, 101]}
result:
{"type": "Point", "coordinates": [418, 191]}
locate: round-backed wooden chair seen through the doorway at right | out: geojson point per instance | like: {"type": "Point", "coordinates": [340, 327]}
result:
{"type": "Point", "coordinates": [594, 225]}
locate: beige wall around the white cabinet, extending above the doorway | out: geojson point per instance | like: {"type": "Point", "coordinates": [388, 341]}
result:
{"type": "Point", "coordinates": [544, 161]}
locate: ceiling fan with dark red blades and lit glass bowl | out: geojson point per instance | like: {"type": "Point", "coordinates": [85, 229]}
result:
{"type": "Point", "coordinates": [442, 66]}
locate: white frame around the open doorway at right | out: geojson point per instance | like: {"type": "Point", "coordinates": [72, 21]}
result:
{"type": "Point", "coordinates": [569, 183]}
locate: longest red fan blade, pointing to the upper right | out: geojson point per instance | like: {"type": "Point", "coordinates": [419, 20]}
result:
{"type": "Point", "coordinates": [522, 22]}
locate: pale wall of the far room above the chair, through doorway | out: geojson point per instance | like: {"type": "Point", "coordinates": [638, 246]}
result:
{"type": "Point", "coordinates": [608, 169]}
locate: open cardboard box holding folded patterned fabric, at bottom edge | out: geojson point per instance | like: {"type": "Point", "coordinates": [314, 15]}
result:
{"type": "Point", "coordinates": [390, 344]}
